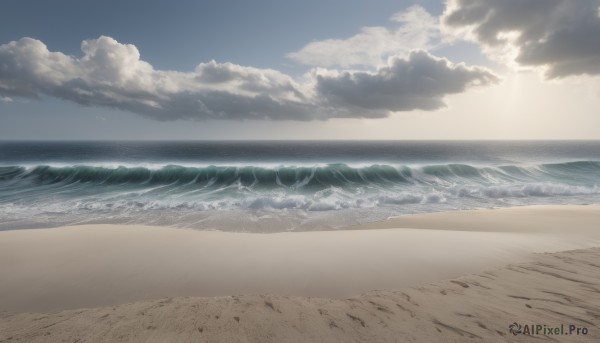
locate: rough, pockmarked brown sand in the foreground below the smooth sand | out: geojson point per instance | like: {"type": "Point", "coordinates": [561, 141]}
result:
{"type": "Point", "coordinates": [553, 290]}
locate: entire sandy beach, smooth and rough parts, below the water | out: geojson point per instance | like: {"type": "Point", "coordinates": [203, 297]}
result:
{"type": "Point", "coordinates": [463, 275]}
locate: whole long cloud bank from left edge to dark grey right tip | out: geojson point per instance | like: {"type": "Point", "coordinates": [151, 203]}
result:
{"type": "Point", "coordinates": [111, 74]}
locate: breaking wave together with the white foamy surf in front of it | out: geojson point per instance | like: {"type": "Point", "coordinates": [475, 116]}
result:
{"type": "Point", "coordinates": [136, 193]}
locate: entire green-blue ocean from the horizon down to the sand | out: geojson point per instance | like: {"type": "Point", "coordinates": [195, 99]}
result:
{"type": "Point", "coordinates": [268, 186]}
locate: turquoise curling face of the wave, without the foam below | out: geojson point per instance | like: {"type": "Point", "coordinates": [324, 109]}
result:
{"type": "Point", "coordinates": [300, 177]}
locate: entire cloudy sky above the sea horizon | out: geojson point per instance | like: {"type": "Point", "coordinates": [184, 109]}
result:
{"type": "Point", "coordinates": [272, 69]}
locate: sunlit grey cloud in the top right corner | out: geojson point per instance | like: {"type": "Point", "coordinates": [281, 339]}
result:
{"type": "Point", "coordinates": [563, 36]}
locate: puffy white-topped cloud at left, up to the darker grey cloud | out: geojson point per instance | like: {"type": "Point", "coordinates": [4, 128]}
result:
{"type": "Point", "coordinates": [111, 74]}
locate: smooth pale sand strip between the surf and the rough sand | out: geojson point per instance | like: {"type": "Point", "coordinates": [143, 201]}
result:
{"type": "Point", "coordinates": [102, 265]}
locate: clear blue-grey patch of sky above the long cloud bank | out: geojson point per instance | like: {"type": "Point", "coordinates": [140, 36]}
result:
{"type": "Point", "coordinates": [180, 34]}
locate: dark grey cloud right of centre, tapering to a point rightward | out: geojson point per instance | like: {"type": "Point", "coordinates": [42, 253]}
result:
{"type": "Point", "coordinates": [419, 81]}
